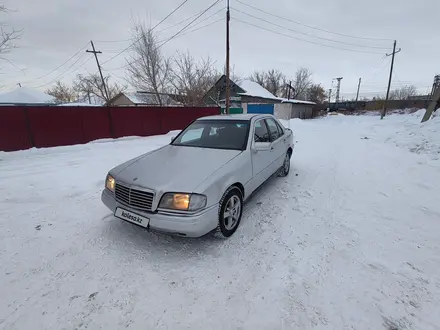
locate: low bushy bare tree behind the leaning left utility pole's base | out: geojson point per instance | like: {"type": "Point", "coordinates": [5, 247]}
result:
{"type": "Point", "coordinates": [91, 85]}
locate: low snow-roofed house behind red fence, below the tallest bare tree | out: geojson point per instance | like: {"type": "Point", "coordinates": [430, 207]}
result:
{"type": "Point", "coordinates": [145, 99]}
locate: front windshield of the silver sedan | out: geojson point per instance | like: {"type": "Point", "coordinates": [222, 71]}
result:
{"type": "Point", "coordinates": [217, 134]}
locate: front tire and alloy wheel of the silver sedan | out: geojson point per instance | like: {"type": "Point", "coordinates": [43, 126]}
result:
{"type": "Point", "coordinates": [231, 199]}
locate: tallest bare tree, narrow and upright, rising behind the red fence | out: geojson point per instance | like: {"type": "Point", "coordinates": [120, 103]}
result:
{"type": "Point", "coordinates": [148, 68]}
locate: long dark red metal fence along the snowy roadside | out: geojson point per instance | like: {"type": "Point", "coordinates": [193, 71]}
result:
{"type": "Point", "coordinates": [50, 126]}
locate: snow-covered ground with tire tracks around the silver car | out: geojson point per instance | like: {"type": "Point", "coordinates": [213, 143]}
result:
{"type": "Point", "coordinates": [350, 240]}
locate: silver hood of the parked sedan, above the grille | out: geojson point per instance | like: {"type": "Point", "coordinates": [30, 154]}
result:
{"type": "Point", "coordinates": [173, 168]}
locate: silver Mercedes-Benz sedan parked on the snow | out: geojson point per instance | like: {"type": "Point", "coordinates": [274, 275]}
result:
{"type": "Point", "coordinates": [198, 183]}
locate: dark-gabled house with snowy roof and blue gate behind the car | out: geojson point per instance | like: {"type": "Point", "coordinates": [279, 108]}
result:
{"type": "Point", "coordinates": [249, 97]}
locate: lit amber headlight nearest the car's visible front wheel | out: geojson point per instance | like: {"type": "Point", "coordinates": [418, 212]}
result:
{"type": "Point", "coordinates": [182, 202]}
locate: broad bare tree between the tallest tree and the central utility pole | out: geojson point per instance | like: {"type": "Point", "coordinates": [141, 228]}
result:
{"type": "Point", "coordinates": [193, 78]}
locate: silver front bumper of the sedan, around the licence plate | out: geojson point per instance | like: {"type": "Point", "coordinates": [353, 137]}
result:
{"type": "Point", "coordinates": [191, 226]}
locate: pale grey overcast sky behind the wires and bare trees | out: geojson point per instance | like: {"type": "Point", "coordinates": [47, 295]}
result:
{"type": "Point", "coordinates": [54, 30]}
